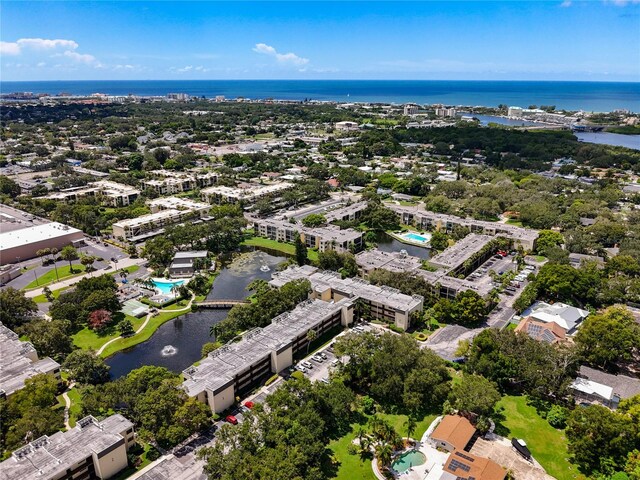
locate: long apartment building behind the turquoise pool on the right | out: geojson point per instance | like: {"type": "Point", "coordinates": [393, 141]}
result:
{"type": "Point", "coordinates": [426, 220]}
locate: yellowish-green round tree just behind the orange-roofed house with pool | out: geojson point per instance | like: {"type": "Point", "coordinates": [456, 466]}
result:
{"type": "Point", "coordinates": [474, 394]}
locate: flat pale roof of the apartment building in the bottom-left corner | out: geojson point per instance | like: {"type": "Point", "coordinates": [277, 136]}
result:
{"type": "Point", "coordinates": [48, 457]}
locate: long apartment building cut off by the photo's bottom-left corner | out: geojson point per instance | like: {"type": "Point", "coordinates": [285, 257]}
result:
{"type": "Point", "coordinates": [92, 449]}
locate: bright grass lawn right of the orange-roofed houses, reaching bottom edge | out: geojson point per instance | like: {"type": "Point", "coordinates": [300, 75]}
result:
{"type": "Point", "coordinates": [548, 445]}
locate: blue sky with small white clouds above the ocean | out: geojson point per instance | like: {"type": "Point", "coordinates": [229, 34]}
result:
{"type": "Point", "coordinates": [518, 40]}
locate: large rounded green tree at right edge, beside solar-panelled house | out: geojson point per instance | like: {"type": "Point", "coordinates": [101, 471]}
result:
{"type": "Point", "coordinates": [607, 338]}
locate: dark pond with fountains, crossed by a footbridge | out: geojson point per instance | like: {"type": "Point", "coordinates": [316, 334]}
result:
{"type": "Point", "coordinates": [177, 343]}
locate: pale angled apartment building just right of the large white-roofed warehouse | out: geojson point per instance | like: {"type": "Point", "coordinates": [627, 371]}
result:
{"type": "Point", "coordinates": [165, 212]}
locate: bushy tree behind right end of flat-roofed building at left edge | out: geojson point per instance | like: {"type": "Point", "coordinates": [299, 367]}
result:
{"type": "Point", "coordinates": [50, 338]}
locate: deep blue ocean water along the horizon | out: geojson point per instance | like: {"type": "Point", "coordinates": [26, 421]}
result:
{"type": "Point", "coordinates": [589, 96]}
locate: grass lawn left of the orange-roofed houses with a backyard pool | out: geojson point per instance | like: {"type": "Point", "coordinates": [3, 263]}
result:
{"type": "Point", "coordinates": [352, 466]}
